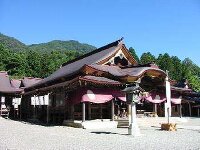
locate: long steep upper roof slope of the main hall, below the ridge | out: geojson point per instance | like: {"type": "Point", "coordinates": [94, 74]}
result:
{"type": "Point", "coordinates": [75, 65]}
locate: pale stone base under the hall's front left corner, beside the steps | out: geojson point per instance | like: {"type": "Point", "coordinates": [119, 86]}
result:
{"type": "Point", "coordinates": [91, 124]}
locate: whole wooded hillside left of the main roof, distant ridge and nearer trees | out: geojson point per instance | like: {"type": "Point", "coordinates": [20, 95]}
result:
{"type": "Point", "coordinates": [37, 60]}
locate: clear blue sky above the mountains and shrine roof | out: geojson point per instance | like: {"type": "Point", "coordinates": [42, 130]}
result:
{"type": "Point", "coordinates": [158, 26]}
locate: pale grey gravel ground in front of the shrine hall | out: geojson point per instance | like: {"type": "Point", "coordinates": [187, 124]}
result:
{"type": "Point", "coordinates": [20, 135]}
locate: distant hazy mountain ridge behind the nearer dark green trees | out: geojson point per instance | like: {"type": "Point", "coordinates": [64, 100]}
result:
{"type": "Point", "coordinates": [15, 45]}
